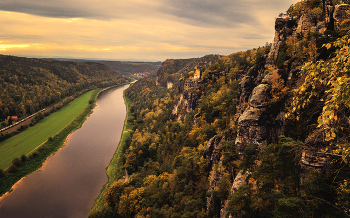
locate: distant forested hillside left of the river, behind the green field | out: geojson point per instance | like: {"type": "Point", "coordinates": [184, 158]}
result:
{"type": "Point", "coordinates": [28, 85]}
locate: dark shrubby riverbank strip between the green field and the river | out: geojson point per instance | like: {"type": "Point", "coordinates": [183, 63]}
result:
{"type": "Point", "coordinates": [36, 160]}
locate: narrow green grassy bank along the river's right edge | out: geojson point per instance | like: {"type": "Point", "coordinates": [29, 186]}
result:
{"type": "Point", "coordinates": [115, 170]}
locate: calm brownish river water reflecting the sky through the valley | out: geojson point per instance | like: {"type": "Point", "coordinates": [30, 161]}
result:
{"type": "Point", "coordinates": [71, 179]}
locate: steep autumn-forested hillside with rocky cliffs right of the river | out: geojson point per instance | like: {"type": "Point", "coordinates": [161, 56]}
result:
{"type": "Point", "coordinates": [260, 133]}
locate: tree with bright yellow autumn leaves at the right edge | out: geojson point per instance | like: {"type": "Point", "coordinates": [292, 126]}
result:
{"type": "Point", "coordinates": [332, 78]}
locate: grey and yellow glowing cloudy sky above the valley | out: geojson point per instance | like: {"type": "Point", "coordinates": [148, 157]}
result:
{"type": "Point", "coordinates": [135, 29]}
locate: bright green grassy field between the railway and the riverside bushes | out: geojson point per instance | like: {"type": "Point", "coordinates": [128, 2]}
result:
{"type": "Point", "coordinates": [27, 141]}
